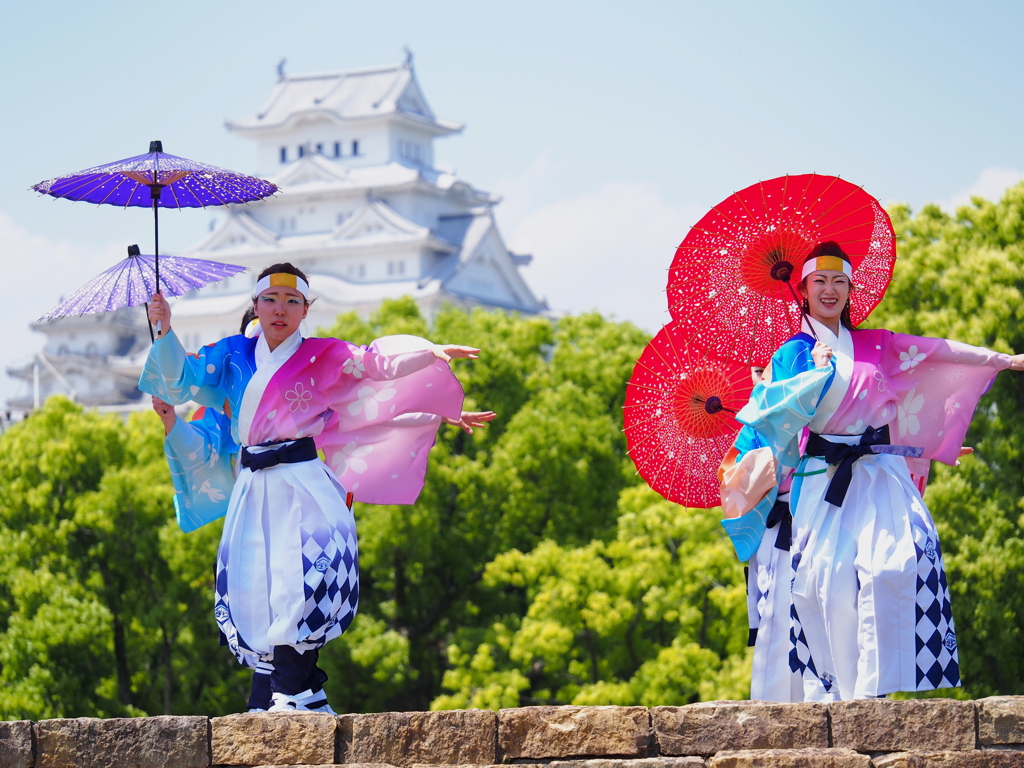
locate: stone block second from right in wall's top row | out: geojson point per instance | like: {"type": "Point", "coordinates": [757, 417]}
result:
{"type": "Point", "coordinates": [881, 726]}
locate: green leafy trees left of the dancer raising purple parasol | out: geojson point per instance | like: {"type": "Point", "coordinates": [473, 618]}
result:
{"type": "Point", "coordinates": [105, 606]}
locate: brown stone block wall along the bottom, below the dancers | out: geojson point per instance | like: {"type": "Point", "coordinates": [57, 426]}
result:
{"type": "Point", "coordinates": [876, 734]}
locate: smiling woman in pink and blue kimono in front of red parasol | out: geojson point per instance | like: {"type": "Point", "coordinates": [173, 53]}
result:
{"type": "Point", "coordinates": [871, 606]}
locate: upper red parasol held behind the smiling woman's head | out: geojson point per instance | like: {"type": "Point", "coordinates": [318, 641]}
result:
{"type": "Point", "coordinates": [733, 283]}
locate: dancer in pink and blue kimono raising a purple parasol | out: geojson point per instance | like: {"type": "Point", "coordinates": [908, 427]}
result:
{"type": "Point", "coordinates": [287, 567]}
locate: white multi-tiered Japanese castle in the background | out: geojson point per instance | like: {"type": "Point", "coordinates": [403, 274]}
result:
{"type": "Point", "coordinates": [362, 210]}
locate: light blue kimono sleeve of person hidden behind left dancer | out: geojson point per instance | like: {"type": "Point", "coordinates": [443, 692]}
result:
{"type": "Point", "coordinates": [199, 454]}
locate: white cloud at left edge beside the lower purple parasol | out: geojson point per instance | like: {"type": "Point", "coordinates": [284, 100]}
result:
{"type": "Point", "coordinates": [38, 271]}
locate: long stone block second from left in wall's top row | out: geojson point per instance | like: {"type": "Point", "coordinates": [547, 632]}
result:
{"type": "Point", "coordinates": [140, 743]}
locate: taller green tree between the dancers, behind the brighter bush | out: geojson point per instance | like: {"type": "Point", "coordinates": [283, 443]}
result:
{"type": "Point", "coordinates": [551, 467]}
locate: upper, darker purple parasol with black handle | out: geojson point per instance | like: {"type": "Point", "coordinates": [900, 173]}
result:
{"type": "Point", "coordinates": [159, 181]}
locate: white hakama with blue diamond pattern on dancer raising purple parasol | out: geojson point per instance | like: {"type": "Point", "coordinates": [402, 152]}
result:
{"type": "Point", "coordinates": [288, 563]}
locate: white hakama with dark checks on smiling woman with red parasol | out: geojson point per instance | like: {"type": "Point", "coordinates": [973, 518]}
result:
{"type": "Point", "coordinates": [859, 569]}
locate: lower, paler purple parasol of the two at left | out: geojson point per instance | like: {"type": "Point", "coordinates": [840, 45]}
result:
{"type": "Point", "coordinates": [134, 282]}
